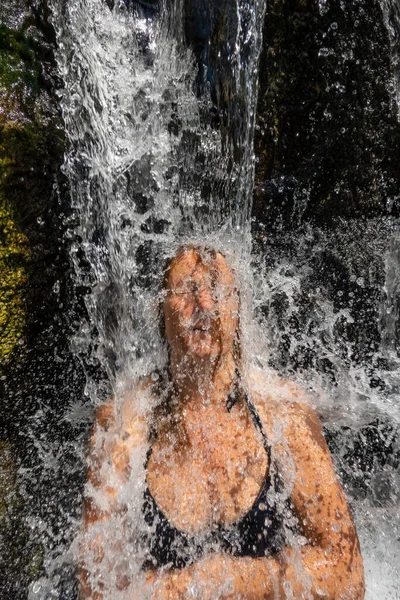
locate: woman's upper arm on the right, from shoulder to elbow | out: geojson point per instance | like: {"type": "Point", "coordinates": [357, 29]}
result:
{"type": "Point", "coordinates": [332, 562]}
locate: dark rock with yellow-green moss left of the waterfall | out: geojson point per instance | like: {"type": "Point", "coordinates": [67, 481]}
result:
{"type": "Point", "coordinates": [31, 151]}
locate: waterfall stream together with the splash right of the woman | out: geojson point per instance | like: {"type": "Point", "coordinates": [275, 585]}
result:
{"type": "Point", "coordinates": [160, 154]}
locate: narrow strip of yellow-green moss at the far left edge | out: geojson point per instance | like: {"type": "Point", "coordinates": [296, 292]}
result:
{"type": "Point", "coordinates": [19, 90]}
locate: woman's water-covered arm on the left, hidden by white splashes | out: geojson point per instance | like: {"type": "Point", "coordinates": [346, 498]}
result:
{"type": "Point", "coordinates": [117, 432]}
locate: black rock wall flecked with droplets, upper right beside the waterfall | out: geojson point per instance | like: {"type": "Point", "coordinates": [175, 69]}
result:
{"type": "Point", "coordinates": [327, 136]}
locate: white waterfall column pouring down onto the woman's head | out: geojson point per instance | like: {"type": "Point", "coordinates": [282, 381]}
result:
{"type": "Point", "coordinates": [147, 170]}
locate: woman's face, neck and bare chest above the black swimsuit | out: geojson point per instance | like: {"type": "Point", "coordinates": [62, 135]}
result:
{"type": "Point", "coordinates": [201, 309]}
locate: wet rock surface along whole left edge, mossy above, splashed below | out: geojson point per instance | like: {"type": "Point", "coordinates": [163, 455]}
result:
{"type": "Point", "coordinates": [39, 379]}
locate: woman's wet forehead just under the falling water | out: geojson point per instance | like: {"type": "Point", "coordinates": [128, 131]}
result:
{"type": "Point", "coordinates": [191, 263]}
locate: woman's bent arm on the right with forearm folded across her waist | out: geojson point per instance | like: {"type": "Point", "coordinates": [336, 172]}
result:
{"type": "Point", "coordinates": [328, 567]}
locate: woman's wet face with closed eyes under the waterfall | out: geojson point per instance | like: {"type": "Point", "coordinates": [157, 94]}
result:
{"type": "Point", "coordinates": [201, 305]}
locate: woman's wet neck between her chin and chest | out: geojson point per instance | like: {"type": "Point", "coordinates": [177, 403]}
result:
{"type": "Point", "coordinates": [200, 382]}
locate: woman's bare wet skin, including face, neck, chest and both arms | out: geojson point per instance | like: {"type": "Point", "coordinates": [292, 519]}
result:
{"type": "Point", "coordinates": [215, 470]}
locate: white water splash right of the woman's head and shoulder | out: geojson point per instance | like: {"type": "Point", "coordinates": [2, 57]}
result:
{"type": "Point", "coordinates": [326, 301]}
